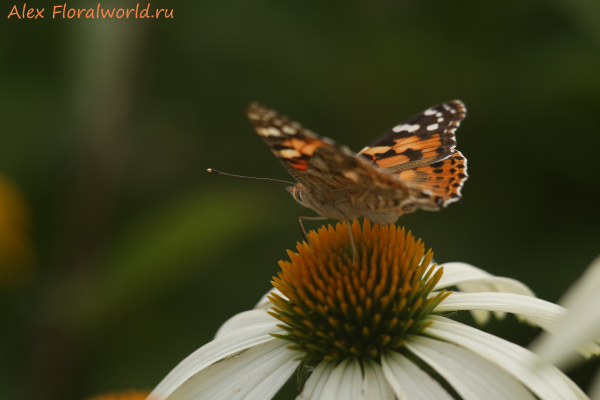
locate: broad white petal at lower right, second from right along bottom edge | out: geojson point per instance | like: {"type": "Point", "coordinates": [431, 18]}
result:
{"type": "Point", "coordinates": [472, 377]}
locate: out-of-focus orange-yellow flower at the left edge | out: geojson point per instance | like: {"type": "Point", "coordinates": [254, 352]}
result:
{"type": "Point", "coordinates": [16, 250]}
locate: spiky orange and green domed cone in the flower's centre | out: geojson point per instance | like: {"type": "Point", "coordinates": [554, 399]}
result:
{"type": "Point", "coordinates": [338, 306]}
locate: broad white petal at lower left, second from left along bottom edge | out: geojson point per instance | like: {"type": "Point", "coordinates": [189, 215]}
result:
{"type": "Point", "coordinates": [255, 374]}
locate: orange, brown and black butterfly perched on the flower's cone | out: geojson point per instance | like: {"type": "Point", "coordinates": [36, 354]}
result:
{"type": "Point", "coordinates": [414, 165]}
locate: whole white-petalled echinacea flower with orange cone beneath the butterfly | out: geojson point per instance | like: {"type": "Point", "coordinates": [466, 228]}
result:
{"type": "Point", "coordinates": [375, 326]}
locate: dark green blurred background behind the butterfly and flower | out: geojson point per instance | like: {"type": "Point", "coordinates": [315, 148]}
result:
{"type": "Point", "coordinates": [121, 255]}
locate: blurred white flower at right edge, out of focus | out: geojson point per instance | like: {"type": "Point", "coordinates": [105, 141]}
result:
{"type": "Point", "coordinates": [579, 329]}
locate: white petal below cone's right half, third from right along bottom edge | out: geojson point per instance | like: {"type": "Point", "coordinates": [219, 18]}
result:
{"type": "Point", "coordinates": [408, 381]}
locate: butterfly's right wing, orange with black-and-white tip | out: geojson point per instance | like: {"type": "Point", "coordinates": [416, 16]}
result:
{"type": "Point", "coordinates": [420, 151]}
